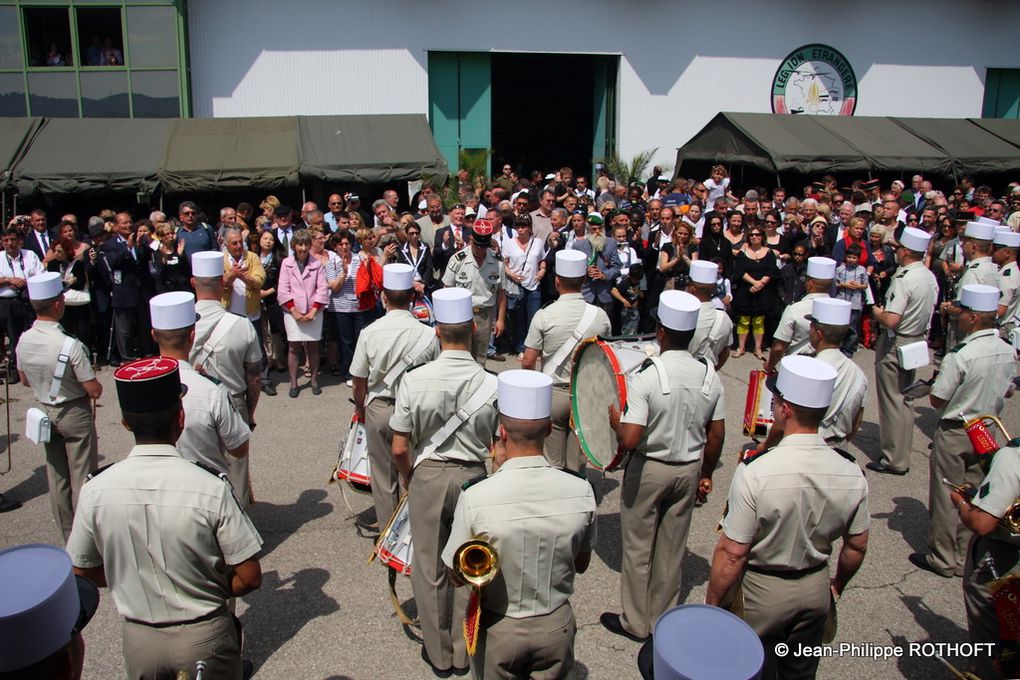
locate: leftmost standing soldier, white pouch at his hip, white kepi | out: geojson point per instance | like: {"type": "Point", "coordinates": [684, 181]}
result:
{"type": "Point", "coordinates": [57, 368]}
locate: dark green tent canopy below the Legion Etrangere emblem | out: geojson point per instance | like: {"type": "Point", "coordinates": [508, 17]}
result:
{"type": "Point", "coordinates": [809, 145]}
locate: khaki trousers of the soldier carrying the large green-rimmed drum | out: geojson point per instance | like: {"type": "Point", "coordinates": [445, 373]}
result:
{"type": "Point", "coordinates": [656, 506]}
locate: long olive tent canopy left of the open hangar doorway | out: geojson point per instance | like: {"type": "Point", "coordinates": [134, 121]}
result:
{"type": "Point", "coordinates": [193, 155]}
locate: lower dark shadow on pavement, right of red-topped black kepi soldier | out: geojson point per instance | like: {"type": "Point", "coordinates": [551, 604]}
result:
{"type": "Point", "coordinates": [279, 611]}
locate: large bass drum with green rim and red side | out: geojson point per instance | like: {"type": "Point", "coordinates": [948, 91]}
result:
{"type": "Point", "coordinates": [599, 379]}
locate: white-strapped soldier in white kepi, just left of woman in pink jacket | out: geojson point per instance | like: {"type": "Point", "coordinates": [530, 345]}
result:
{"type": "Point", "coordinates": [227, 349]}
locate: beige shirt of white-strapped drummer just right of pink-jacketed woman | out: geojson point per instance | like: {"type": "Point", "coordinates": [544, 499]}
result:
{"type": "Point", "coordinates": [385, 344]}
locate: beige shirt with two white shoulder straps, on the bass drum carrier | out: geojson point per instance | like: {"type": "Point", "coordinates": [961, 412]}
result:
{"type": "Point", "coordinates": [675, 424]}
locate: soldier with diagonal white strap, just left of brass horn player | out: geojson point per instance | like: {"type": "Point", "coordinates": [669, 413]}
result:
{"type": "Point", "coordinates": [443, 427]}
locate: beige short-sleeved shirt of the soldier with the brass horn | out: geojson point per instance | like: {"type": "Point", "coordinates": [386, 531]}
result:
{"type": "Point", "coordinates": [539, 518]}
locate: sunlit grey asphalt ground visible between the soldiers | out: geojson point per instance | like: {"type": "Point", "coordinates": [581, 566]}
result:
{"type": "Point", "coordinates": [324, 612]}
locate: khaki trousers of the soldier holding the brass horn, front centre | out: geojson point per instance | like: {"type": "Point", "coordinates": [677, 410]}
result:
{"type": "Point", "coordinates": [540, 648]}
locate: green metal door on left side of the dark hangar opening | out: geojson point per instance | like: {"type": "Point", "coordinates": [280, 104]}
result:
{"type": "Point", "coordinates": [461, 103]}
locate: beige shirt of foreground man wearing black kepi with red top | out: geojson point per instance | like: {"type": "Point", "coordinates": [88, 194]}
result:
{"type": "Point", "coordinates": [165, 531]}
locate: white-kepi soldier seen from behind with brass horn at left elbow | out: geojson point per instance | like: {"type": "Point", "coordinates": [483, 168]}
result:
{"type": "Point", "coordinates": [540, 521]}
